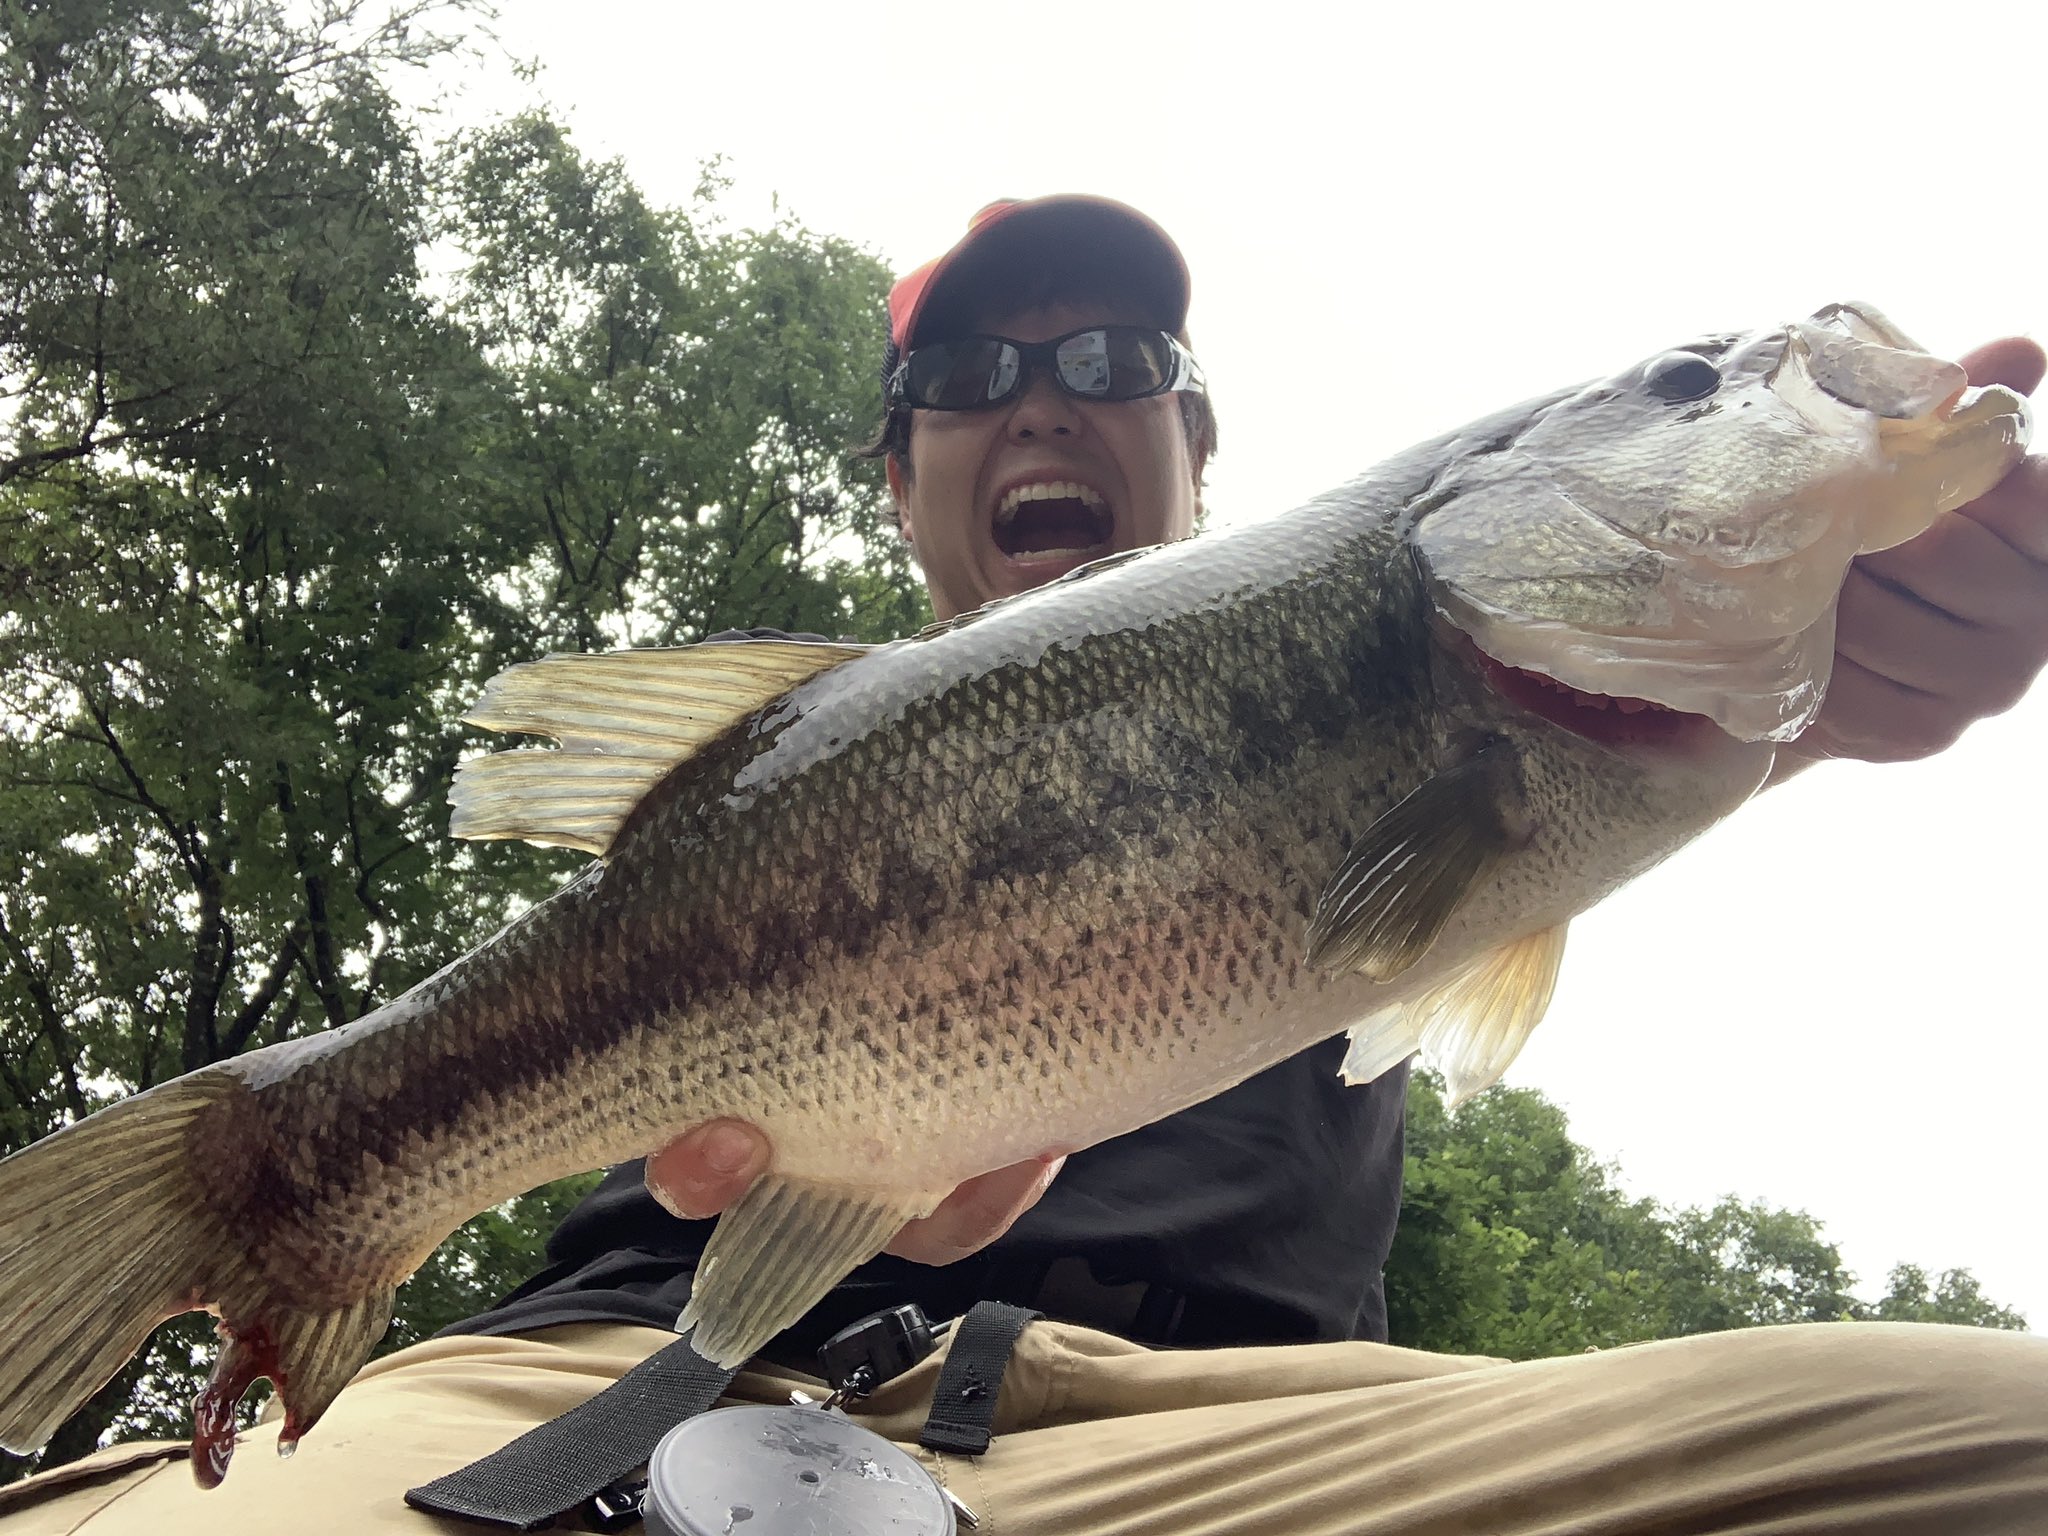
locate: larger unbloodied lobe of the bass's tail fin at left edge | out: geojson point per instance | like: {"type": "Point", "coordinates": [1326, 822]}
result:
{"type": "Point", "coordinates": [101, 1240]}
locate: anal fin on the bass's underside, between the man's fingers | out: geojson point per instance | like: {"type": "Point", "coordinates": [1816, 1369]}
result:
{"type": "Point", "coordinates": [779, 1250]}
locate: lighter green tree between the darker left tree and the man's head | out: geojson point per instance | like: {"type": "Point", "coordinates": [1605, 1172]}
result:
{"type": "Point", "coordinates": [679, 400]}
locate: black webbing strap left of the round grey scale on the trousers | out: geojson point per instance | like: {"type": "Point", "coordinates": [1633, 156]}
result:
{"type": "Point", "coordinates": [554, 1467]}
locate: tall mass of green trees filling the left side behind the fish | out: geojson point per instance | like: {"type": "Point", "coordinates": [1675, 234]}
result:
{"type": "Point", "coordinates": [273, 507]}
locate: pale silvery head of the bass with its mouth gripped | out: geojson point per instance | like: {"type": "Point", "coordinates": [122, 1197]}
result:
{"type": "Point", "coordinates": [1678, 536]}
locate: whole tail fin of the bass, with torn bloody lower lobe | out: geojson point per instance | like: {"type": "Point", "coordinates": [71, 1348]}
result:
{"type": "Point", "coordinates": [105, 1232]}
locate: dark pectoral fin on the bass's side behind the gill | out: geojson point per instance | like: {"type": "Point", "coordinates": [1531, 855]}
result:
{"type": "Point", "coordinates": [1406, 878]}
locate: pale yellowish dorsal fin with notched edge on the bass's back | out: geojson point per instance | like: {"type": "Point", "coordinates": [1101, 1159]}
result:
{"type": "Point", "coordinates": [624, 722]}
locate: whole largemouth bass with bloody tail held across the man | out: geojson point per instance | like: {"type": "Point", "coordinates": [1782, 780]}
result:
{"type": "Point", "coordinates": [1035, 878]}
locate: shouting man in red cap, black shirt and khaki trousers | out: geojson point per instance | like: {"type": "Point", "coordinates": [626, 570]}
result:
{"type": "Point", "coordinates": [1046, 413]}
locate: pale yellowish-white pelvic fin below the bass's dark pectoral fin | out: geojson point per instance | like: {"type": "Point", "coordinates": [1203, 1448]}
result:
{"type": "Point", "coordinates": [1469, 1027]}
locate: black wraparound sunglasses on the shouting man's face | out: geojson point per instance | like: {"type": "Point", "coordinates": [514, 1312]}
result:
{"type": "Point", "coordinates": [1097, 364]}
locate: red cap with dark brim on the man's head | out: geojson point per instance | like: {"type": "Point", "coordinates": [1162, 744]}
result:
{"type": "Point", "coordinates": [1009, 241]}
